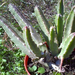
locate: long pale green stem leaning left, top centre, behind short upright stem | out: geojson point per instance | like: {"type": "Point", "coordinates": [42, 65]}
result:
{"type": "Point", "coordinates": [43, 23]}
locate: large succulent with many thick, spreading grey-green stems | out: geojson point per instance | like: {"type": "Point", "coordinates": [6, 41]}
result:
{"type": "Point", "coordinates": [59, 38]}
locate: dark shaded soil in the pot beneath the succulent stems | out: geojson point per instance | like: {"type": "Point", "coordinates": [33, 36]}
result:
{"type": "Point", "coordinates": [68, 64]}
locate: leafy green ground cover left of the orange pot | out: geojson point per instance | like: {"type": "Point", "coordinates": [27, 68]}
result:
{"type": "Point", "coordinates": [11, 61]}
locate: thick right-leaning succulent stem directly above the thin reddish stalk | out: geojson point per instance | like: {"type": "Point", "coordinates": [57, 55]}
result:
{"type": "Point", "coordinates": [68, 46]}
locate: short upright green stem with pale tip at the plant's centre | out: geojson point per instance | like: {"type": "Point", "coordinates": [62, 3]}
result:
{"type": "Point", "coordinates": [53, 41]}
